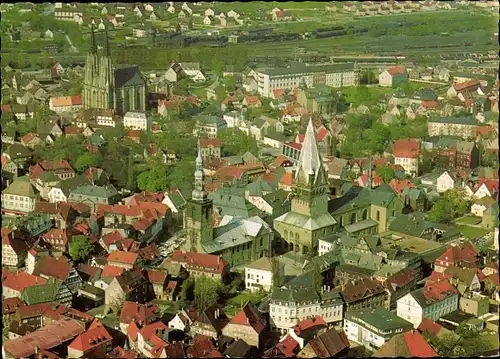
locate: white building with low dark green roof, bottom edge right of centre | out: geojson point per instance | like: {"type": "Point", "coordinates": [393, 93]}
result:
{"type": "Point", "coordinates": [372, 328]}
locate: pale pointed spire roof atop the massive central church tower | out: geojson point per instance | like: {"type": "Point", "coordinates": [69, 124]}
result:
{"type": "Point", "coordinates": [309, 160]}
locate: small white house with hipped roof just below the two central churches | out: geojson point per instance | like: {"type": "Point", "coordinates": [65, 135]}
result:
{"type": "Point", "coordinates": [261, 273]}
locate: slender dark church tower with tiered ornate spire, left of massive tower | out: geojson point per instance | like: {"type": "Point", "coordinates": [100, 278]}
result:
{"type": "Point", "coordinates": [198, 214]}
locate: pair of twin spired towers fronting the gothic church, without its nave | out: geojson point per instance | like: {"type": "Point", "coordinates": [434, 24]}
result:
{"type": "Point", "coordinates": [98, 82]}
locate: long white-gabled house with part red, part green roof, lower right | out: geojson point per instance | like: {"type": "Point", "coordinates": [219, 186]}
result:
{"type": "Point", "coordinates": [432, 302]}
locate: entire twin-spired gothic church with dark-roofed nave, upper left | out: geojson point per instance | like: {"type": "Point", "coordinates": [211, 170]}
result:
{"type": "Point", "coordinates": [104, 87]}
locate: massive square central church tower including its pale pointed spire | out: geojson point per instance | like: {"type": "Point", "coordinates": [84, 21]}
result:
{"type": "Point", "coordinates": [309, 219]}
